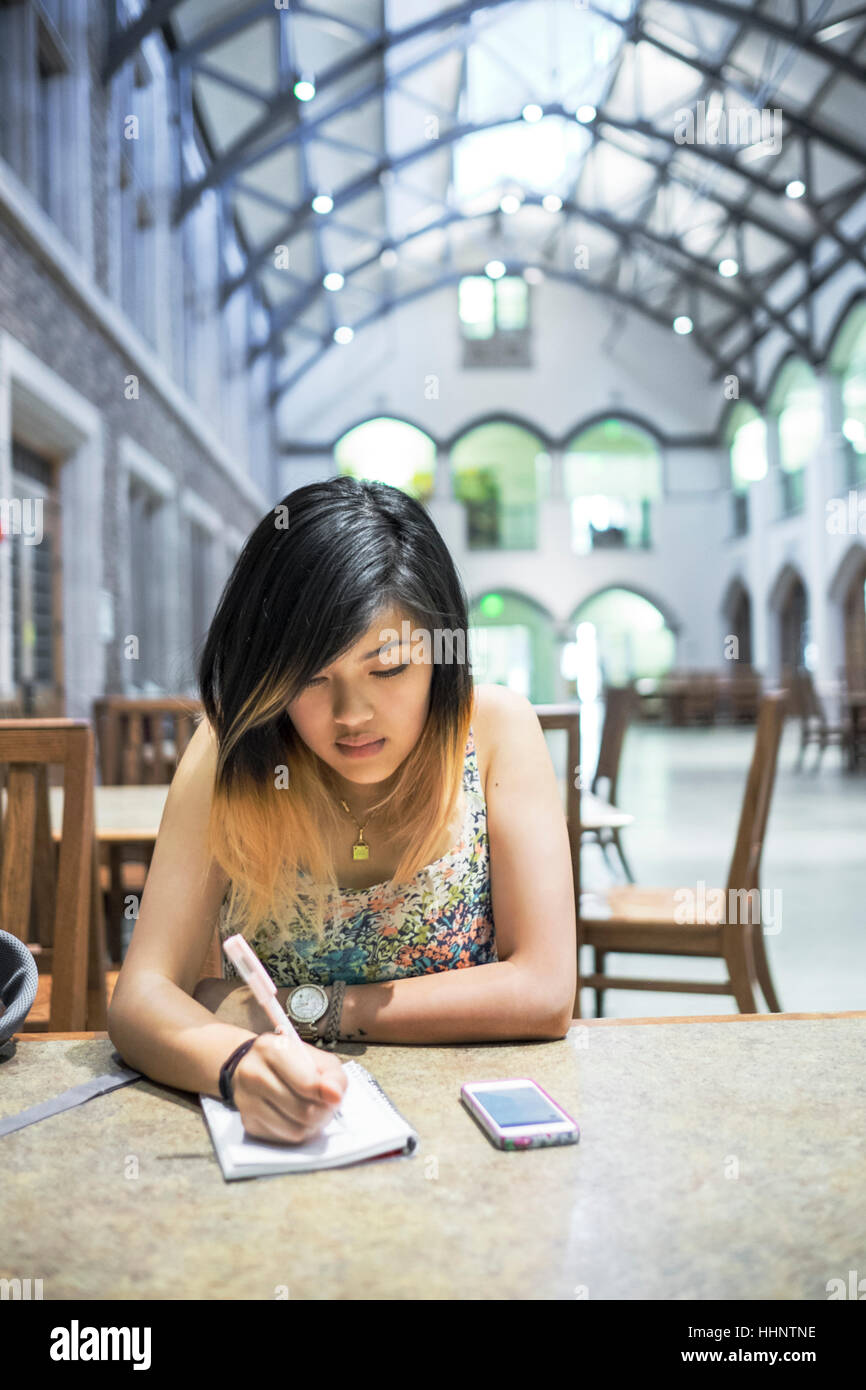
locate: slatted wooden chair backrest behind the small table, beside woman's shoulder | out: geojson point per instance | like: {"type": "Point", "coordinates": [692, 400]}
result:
{"type": "Point", "coordinates": [142, 740]}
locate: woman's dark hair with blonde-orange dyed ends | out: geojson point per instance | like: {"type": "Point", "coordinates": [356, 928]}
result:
{"type": "Point", "coordinates": [308, 584]}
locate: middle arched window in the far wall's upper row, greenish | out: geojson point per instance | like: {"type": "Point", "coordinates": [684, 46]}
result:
{"type": "Point", "coordinates": [501, 473]}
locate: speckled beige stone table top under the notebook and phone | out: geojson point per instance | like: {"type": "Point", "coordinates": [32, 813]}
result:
{"type": "Point", "coordinates": [718, 1160]}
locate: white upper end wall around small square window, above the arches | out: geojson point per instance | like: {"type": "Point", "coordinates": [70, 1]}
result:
{"type": "Point", "coordinates": [583, 365]}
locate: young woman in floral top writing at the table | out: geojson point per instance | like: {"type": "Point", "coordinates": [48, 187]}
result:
{"type": "Point", "coordinates": [366, 882]}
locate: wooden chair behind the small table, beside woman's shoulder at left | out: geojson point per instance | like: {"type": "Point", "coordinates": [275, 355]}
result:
{"type": "Point", "coordinates": [141, 742]}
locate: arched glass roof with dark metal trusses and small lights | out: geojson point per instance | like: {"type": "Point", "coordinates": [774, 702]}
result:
{"type": "Point", "coordinates": [668, 140]}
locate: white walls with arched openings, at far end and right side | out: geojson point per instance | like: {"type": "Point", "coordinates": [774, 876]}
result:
{"type": "Point", "coordinates": [594, 358]}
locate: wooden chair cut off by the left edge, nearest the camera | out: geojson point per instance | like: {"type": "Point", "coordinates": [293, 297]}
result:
{"type": "Point", "coordinates": [49, 893]}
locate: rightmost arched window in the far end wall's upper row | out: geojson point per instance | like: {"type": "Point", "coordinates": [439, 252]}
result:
{"type": "Point", "coordinates": [612, 476]}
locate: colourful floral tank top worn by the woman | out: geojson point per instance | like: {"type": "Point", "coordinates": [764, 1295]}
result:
{"type": "Point", "coordinates": [441, 921]}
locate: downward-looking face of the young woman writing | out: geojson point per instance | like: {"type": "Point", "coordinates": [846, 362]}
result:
{"type": "Point", "coordinates": [377, 696]}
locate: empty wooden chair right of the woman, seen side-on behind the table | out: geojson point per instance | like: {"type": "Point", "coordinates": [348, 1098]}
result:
{"type": "Point", "coordinates": [647, 921]}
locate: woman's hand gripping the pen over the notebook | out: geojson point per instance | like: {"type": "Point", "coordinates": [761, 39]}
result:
{"type": "Point", "coordinates": [287, 1090]}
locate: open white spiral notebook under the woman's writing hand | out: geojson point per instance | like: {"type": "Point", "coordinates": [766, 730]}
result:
{"type": "Point", "coordinates": [366, 1125]}
